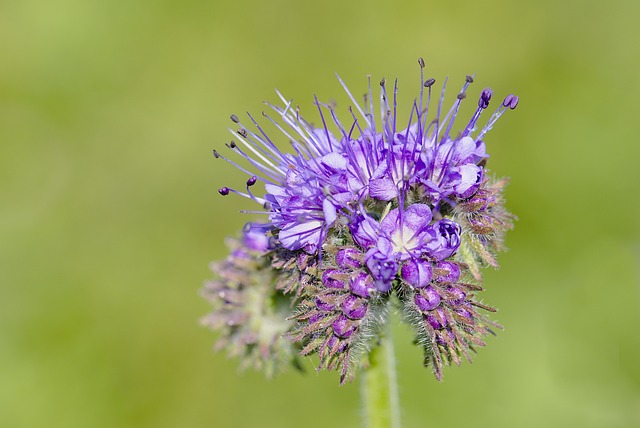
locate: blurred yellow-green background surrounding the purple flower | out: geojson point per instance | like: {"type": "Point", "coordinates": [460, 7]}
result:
{"type": "Point", "coordinates": [109, 213]}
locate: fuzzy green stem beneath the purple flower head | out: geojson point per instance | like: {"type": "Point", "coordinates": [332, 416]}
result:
{"type": "Point", "coordinates": [380, 388]}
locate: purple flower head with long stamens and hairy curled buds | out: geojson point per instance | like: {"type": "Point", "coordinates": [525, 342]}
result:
{"type": "Point", "coordinates": [365, 221]}
